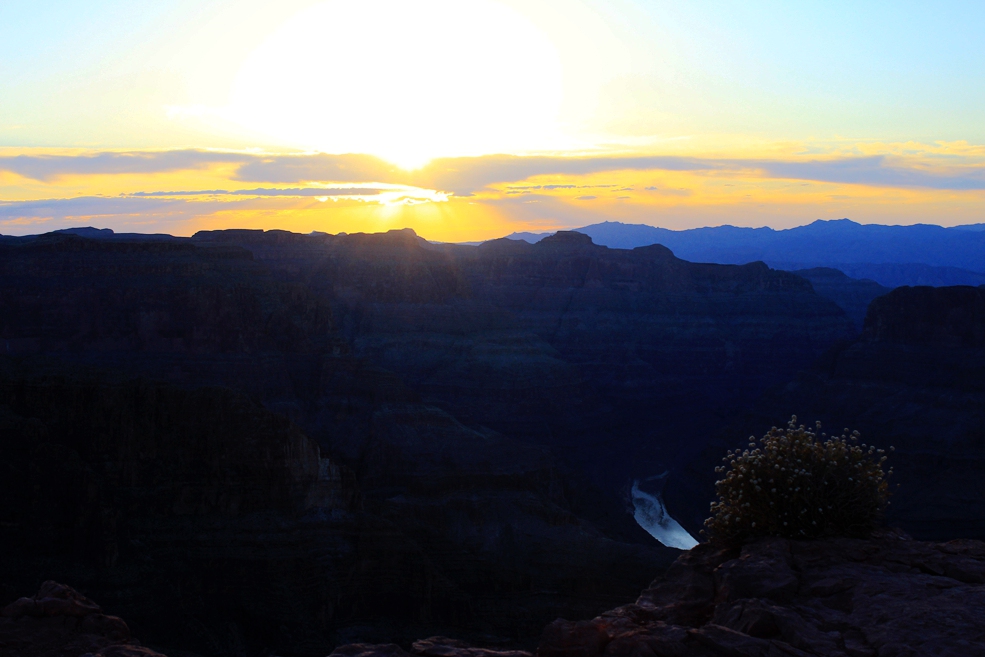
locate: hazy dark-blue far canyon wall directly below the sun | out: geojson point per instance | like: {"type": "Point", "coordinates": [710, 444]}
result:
{"type": "Point", "coordinates": [615, 358]}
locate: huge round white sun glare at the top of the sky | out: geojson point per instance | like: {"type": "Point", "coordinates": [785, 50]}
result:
{"type": "Point", "coordinates": [407, 81]}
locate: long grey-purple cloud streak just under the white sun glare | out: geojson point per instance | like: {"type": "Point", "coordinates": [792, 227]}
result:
{"type": "Point", "coordinates": [465, 176]}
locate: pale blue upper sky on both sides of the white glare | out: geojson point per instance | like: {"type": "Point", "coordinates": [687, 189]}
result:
{"type": "Point", "coordinates": [783, 70]}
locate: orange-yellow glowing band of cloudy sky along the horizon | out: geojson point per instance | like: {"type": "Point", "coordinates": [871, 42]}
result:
{"type": "Point", "coordinates": [472, 199]}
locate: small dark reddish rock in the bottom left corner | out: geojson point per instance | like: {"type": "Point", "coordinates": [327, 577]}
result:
{"type": "Point", "coordinates": [61, 622]}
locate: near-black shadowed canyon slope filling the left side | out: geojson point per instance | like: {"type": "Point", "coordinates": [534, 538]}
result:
{"type": "Point", "coordinates": [136, 471]}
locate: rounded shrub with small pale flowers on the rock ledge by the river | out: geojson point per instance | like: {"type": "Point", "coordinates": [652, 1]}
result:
{"type": "Point", "coordinates": [799, 484]}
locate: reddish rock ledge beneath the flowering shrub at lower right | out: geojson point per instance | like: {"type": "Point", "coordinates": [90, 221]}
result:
{"type": "Point", "coordinates": [885, 597]}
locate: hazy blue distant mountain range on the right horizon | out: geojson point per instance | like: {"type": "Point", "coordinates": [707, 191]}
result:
{"type": "Point", "coordinates": [890, 255]}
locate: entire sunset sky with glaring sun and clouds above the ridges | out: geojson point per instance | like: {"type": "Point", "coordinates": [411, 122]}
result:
{"type": "Point", "coordinates": [471, 119]}
